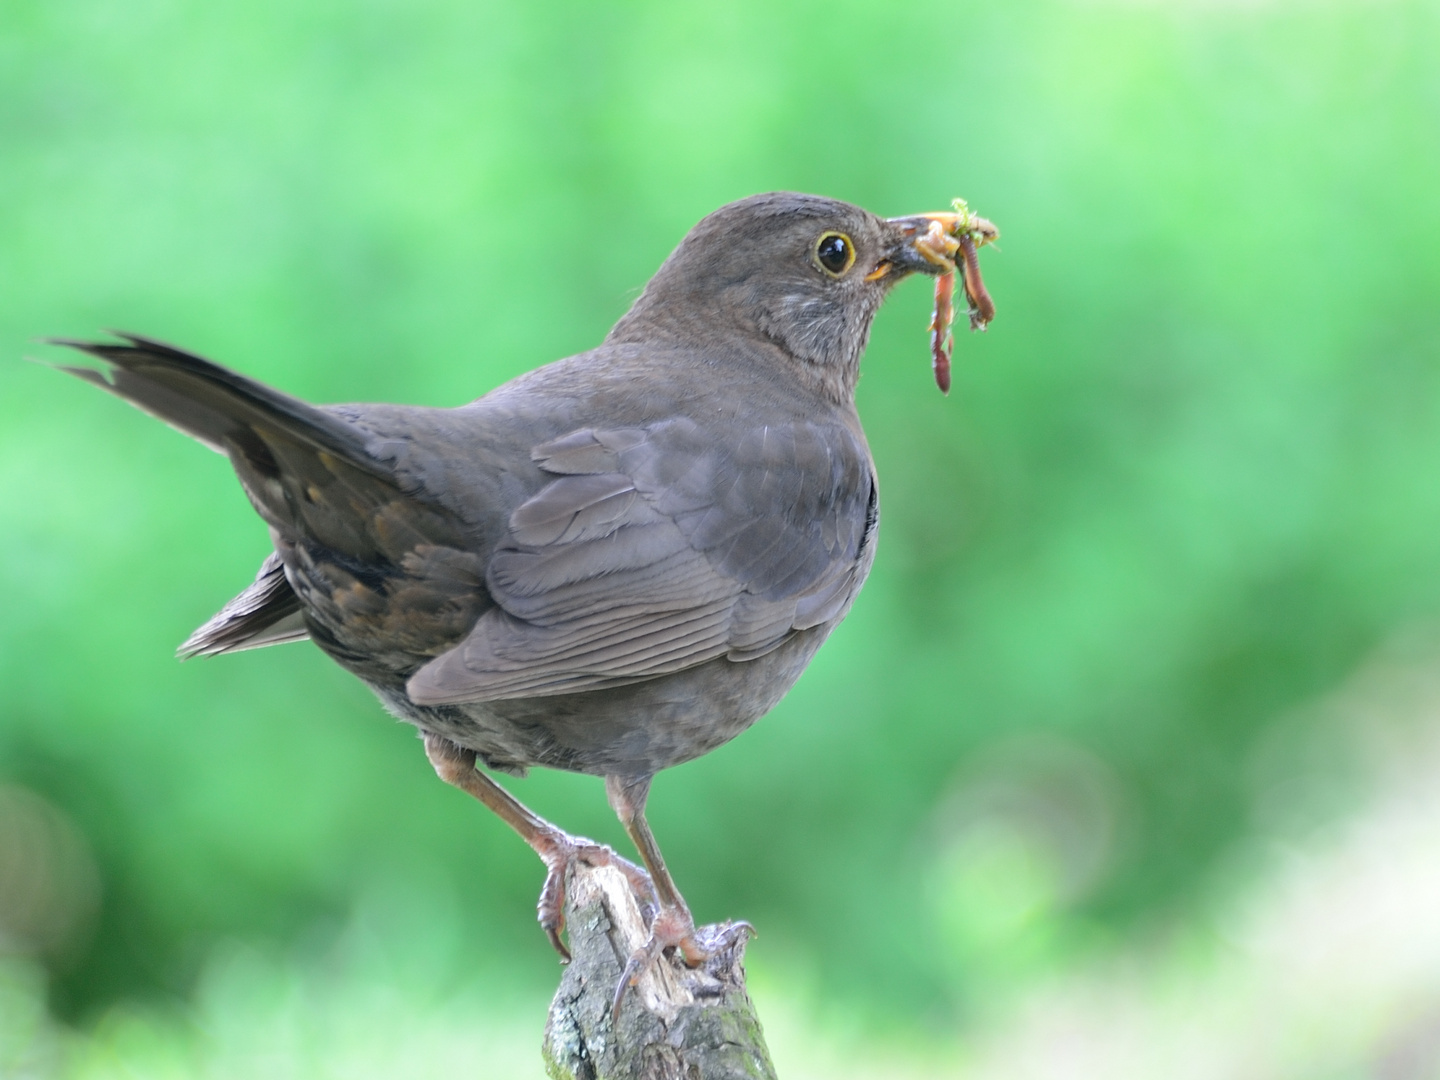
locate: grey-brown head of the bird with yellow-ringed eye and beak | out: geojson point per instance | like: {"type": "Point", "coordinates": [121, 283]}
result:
{"type": "Point", "coordinates": [793, 273]}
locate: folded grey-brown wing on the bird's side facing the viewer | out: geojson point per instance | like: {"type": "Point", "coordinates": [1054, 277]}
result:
{"type": "Point", "coordinates": [656, 549]}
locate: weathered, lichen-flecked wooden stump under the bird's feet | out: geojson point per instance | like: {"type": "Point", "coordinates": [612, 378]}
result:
{"type": "Point", "coordinates": [678, 1025]}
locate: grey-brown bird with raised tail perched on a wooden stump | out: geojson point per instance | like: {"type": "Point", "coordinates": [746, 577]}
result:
{"type": "Point", "coordinates": [611, 565]}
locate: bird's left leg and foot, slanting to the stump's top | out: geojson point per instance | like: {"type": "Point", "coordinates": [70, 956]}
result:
{"type": "Point", "coordinates": [558, 850]}
